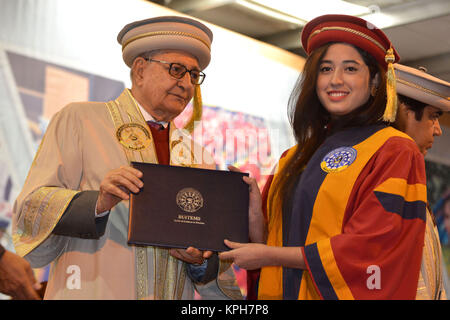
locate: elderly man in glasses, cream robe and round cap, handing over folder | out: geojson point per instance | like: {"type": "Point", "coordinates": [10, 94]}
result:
{"type": "Point", "coordinates": [73, 209]}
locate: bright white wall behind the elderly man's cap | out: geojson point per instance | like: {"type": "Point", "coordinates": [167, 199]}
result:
{"type": "Point", "coordinates": [244, 74]}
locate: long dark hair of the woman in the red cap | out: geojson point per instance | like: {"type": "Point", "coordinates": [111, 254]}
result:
{"type": "Point", "coordinates": [312, 123]}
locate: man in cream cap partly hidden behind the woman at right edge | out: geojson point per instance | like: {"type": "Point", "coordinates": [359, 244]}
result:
{"type": "Point", "coordinates": [423, 99]}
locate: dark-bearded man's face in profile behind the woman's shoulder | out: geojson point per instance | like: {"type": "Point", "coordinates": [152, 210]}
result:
{"type": "Point", "coordinates": [424, 130]}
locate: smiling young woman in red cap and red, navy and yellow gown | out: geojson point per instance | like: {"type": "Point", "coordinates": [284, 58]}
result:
{"type": "Point", "coordinates": [346, 206]}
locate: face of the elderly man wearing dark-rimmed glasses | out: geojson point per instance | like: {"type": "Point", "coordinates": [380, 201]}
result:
{"type": "Point", "coordinates": [162, 95]}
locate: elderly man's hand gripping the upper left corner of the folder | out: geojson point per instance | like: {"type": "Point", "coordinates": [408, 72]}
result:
{"type": "Point", "coordinates": [117, 185]}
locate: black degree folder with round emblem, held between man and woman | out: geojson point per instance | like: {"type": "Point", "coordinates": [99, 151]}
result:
{"type": "Point", "coordinates": [179, 207]}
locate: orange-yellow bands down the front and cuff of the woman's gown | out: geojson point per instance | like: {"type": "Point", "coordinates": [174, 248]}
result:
{"type": "Point", "coordinates": [325, 209]}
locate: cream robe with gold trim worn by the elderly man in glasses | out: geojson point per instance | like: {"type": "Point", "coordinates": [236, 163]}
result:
{"type": "Point", "coordinates": [94, 261]}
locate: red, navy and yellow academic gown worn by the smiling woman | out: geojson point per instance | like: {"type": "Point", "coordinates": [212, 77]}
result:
{"type": "Point", "coordinates": [358, 212]}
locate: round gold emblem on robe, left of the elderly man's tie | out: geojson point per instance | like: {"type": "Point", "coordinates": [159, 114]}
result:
{"type": "Point", "coordinates": [133, 136]}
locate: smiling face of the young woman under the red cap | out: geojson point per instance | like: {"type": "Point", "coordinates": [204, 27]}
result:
{"type": "Point", "coordinates": [343, 82]}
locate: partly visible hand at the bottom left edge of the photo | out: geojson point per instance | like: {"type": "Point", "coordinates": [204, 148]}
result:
{"type": "Point", "coordinates": [16, 278]}
